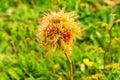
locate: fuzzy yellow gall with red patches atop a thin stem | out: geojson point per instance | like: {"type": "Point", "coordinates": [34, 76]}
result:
{"type": "Point", "coordinates": [58, 30]}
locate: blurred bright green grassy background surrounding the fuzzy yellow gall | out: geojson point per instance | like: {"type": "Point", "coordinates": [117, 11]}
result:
{"type": "Point", "coordinates": [21, 57]}
